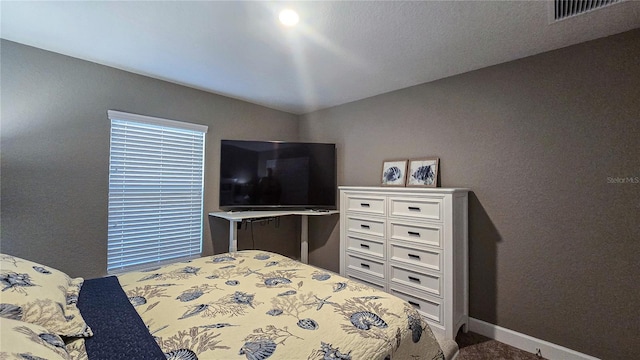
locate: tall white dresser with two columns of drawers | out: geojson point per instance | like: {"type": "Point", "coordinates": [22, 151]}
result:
{"type": "Point", "coordinates": [413, 243]}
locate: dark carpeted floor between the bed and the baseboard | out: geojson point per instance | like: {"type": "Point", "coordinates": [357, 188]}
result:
{"type": "Point", "coordinates": [477, 347]}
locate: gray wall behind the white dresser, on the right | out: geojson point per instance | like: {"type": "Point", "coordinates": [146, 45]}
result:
{"type": "Point", "coordinates": [554, 245]}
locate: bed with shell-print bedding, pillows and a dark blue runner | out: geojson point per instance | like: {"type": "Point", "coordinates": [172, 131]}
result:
{"type": "Point", "coordinates": [244, 305]}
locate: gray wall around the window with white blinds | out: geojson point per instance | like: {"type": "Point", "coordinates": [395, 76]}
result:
{"type": "Point", "coordinates": [55, 152]}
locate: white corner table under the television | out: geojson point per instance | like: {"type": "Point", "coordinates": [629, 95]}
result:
{"type": "Point", "coordinates": [235, 217]}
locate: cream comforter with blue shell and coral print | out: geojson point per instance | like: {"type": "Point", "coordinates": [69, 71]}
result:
{"type": "Point", "coordinates": [257, 305]}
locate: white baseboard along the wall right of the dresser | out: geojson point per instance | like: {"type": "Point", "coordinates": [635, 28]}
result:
{"type": "Point", "coordinates": [525, 342]}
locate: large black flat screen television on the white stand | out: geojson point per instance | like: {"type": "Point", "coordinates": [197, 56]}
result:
{"type": "Point", "coordinates": [273, 175]}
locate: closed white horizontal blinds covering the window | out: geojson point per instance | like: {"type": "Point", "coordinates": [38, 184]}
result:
{"type": "Point", "coordinates": [156, 183]}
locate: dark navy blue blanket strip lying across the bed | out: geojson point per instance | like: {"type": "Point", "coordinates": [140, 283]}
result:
{"type": "Point", "coordinates": [119, 333]}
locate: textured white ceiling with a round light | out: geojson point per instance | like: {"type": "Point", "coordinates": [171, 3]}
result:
{"type": "Point", "coordinates": [341, 51]}
